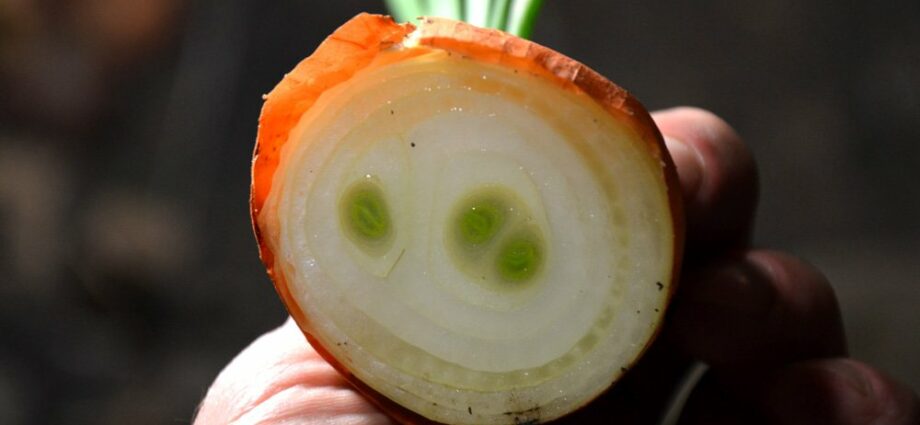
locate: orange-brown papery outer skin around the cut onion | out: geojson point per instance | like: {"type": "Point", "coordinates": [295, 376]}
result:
{"type": "Point", "coordinates": [357, 44]}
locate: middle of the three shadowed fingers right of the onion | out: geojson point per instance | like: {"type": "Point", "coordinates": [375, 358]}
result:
{"type": "Point", "coordinates": [758, 309]}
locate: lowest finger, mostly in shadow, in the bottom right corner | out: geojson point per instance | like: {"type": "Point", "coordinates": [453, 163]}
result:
{"type": "Point", "coordinates": [839, 392]}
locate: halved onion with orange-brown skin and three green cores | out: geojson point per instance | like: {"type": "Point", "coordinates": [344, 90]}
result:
{"type": "Point", "coordinates": [472, 228]}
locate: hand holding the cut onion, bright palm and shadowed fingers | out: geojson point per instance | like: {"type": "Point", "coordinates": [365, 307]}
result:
{"type": "Point", "coordinates": [767, 324]}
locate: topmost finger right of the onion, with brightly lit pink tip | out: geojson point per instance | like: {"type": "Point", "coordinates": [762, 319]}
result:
{"type": "Point", "coordinates": [718, 177]}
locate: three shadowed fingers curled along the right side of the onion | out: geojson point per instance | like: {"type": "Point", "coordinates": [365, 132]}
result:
{"type": "Point", "coordinates": [767, 324]}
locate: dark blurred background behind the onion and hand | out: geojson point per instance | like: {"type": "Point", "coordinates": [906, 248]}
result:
{"type": "Point", "coordinates": [128, 273]}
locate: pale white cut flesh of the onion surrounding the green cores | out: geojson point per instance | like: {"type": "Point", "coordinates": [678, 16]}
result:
{"type": "Point", "coordinates": [409, 322]}
